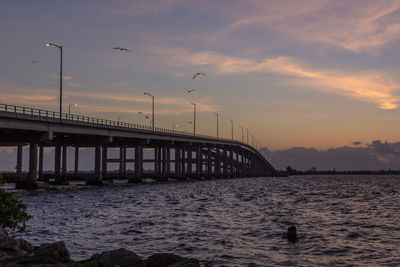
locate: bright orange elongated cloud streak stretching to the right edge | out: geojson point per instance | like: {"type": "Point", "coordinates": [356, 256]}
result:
{"type": "Point", "coordinates": [372, 86]}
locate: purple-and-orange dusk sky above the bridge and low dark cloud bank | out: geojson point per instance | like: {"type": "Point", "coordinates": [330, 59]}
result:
{"type": "Point", "coordinates": [308, 73]}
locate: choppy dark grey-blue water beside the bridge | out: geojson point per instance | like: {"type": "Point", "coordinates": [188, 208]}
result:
{"type": "Point", "coordinates": [341, 221]}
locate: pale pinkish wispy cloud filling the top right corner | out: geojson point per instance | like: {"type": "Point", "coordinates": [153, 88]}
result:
{"type": "Point", "coordinates": [358, 26]}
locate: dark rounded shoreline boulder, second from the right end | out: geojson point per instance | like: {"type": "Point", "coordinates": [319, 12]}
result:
{"type": "Point", "coordinates": [120, 257]}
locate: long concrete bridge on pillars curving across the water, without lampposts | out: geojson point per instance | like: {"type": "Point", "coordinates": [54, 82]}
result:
{"type": "Point", "coordinates": [177, 154]}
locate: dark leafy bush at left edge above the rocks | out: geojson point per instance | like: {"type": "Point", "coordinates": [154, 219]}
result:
{"type": "Point", "coordinates": [13, 213]}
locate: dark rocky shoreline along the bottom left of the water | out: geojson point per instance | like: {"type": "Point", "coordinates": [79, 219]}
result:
{"type": "Point", "coordinates": [19, 252]}
